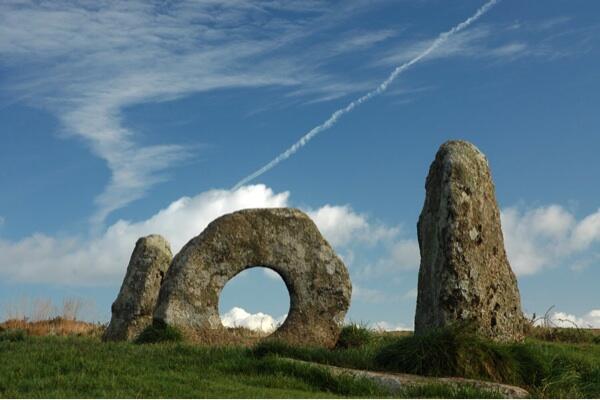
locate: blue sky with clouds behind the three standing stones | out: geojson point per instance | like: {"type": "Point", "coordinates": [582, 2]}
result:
{"type": "Point", "coordinates": [119, 120]}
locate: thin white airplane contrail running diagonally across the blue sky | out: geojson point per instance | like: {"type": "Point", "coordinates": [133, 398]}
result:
{"type": "Point", "coordinates": [443, 37]}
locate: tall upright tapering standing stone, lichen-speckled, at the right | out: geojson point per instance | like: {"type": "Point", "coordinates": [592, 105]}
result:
{"type": "Point", "coordinates": [464, 273]}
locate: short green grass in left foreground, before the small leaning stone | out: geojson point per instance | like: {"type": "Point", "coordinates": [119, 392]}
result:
{"type": "Point", "coordinates": [80, 367]}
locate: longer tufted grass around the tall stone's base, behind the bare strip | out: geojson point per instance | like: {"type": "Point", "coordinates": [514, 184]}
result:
{"type": "Point", "coordinates": [546, 369]}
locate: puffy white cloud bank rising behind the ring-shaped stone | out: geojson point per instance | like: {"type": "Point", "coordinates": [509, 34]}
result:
{"type": "Point", "coordinates": [102, 260]}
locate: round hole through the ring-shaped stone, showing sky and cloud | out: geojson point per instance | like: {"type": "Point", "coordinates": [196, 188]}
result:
{"type": "Point", "coordinates": [256, 299]}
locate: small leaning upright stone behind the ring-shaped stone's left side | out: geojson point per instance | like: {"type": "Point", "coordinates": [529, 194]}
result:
{"type": "Point", "coordinates": [133, 308]}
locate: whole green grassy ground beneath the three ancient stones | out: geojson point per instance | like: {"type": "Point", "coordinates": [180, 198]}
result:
{"type": "Point", "coordinates": [83, 366]}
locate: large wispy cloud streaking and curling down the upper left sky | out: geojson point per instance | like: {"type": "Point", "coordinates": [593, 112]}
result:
{"type": "Point", "coordinates": [86, 63]}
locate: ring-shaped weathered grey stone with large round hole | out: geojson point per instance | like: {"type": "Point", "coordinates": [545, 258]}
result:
{"type": "Point", "coordinates": [283, 239]}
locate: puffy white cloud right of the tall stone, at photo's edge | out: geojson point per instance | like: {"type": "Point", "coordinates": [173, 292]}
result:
{"type": "Point", "coordinates": [547, 236]}
